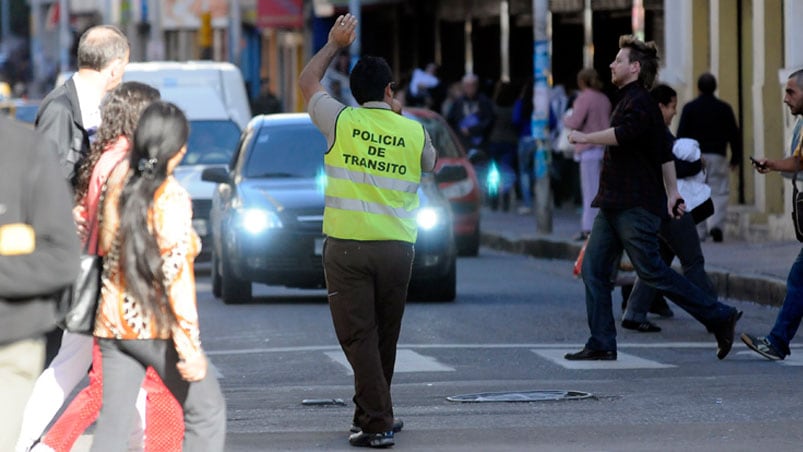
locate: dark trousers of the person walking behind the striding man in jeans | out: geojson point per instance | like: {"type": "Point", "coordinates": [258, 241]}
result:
{"type": "Point", "coordinates": [677, 238]}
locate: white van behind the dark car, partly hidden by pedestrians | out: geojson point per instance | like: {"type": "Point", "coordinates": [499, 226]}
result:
{"type": "Point", "coordinates": [213, 96]}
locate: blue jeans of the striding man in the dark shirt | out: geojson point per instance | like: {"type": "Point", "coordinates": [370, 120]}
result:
{"type": "Point", "coordinates": [635, 231]}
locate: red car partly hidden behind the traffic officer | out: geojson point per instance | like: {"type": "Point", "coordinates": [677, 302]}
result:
{"type": "Point", "coordinates": [456, 179]}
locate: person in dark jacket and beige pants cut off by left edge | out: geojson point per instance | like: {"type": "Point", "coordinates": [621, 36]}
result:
{"type": "Point", "coordinates": [38, 256]}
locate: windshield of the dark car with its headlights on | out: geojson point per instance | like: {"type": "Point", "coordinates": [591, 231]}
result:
{"type": "Point", "coordinates": [286, 151]}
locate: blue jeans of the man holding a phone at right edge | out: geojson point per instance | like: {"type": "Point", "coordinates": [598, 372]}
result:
{"type": "Point", "coordinates": [788, 320]}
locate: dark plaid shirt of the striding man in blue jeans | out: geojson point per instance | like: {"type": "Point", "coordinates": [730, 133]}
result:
{"type": "Point", "coordinates": [631, 171]}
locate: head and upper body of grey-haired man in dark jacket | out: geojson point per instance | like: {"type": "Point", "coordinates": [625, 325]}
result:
{"type": "Point", "coordinates": [70, 113]}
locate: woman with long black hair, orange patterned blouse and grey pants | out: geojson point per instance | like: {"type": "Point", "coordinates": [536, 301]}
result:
{"type": "Point", "coordinates": [148, 314]}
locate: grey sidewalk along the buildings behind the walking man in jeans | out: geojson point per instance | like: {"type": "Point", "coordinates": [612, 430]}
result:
{"type": "Point", "coordinates": [753, 271]}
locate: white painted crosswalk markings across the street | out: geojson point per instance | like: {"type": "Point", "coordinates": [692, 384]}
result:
{"type": "Point", "coordinates": [417, 358]}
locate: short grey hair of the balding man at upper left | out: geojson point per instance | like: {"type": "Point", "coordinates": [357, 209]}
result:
{"type": "Point", "coordinates": [100, 45]}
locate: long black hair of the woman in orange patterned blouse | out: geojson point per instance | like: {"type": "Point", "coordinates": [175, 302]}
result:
{"type": "Point", "coordinates": [161, 133]}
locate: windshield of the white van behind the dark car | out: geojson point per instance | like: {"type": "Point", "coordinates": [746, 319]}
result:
{"type": "Point", "coordinates": [211, 142]}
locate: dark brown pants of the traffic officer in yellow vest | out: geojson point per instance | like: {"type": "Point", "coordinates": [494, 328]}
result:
{"type": "Point", "coordinates": [367, 286]}
